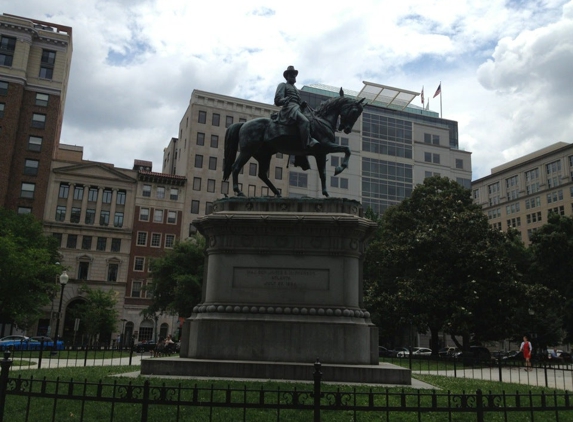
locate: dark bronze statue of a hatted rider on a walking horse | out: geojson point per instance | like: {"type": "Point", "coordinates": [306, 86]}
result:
{"type": "Point", "coordinates": [296, 130]}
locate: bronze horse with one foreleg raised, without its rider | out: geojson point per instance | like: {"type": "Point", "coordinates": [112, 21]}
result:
{"type": "Point", "coordinates": [262, 138]}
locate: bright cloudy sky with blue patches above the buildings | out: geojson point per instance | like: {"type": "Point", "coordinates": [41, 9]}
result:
{"type": "Point", "coordinates": [505, 67]}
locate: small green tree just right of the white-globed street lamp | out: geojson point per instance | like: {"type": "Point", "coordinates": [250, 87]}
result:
{"type": "Point", "coordinates": [97, 313]}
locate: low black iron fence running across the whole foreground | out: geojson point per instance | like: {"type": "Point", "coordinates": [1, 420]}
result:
{"type": "Point", "coordinates": [29, 399]}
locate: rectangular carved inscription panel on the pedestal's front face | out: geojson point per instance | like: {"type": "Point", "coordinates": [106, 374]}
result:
{"type": "Point", "coordinates": [280, 278]}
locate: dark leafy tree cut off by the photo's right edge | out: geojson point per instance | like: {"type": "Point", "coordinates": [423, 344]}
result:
{"type": "Point", "coordinates": [552, 263]}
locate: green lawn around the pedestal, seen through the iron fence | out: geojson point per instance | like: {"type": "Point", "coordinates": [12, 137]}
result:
{"type": "Point", "coordinates": [42, 408]}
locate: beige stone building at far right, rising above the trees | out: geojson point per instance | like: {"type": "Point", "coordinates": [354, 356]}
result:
{"type": "Point", "coordinates": [522, 192]}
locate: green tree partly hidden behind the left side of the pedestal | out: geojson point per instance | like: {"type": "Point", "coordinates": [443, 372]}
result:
{"type": "Point", "coordinates": [177, 278]}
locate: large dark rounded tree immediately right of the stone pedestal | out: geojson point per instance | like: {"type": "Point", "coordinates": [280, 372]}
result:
{"type": "Point", "coordinates": [439, 266]}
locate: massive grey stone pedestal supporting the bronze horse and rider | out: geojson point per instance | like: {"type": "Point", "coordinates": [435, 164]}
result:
{"type": "Point", "coordinates": [283, 285]}
